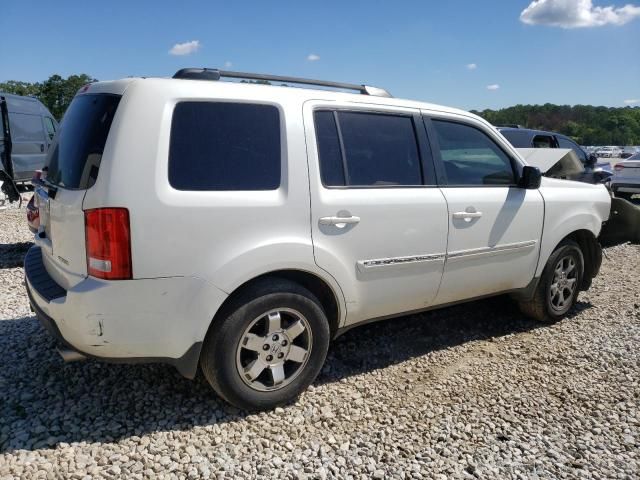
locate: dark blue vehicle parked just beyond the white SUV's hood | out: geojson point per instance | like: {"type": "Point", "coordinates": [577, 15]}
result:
{"type": "Point", "coordinates": [593, 172]}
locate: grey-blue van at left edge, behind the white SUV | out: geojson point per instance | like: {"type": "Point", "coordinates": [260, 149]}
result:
{"type": "Point", "coordinates": [28, 129]}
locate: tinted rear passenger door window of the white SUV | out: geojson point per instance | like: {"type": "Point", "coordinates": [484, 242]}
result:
{"type": "Point", "coordinates": [367, 149]}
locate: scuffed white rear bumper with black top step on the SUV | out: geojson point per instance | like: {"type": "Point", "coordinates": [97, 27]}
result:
{"type": "Point", "coordinates": [135, 321]}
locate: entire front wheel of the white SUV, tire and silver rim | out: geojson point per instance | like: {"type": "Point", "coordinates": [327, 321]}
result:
{"type": "Point", "coordinates": [559, 284]}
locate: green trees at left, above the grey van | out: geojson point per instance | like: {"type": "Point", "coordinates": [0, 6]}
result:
{"type": "Point", "coordinates": [55, 92]}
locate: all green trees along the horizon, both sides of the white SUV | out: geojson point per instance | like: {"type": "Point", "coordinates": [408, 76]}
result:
{"type": "Point", "coordinates": [586, 124]}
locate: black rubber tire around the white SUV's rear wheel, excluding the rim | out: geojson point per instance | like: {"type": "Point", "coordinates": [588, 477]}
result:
{"type": "Point", "coordinates": [220, 348]}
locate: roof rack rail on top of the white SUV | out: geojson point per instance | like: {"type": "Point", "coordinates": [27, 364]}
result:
{"type": "Point", "coordinates": [215, 74]}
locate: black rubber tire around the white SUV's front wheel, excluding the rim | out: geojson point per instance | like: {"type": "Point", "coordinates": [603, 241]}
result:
{"type": "Point", "coordinates": [543, 306]}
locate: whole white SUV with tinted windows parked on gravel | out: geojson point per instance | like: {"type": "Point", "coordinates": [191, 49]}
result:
{"type": "Point", "coordinates": [242, 226]}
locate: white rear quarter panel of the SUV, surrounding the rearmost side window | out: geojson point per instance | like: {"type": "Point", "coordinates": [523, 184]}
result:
{"type": "Point", "coordinates": [223, 237]}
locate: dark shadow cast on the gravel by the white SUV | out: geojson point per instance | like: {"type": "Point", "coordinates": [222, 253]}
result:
{"type": "Point", "coordinates": [44, 402]}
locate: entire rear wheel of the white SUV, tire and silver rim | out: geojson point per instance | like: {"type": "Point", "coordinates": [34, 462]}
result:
{"type": "Point", "coordinates": [269, 346]}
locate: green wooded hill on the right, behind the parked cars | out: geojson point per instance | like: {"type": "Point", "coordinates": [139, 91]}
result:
{"type": "Point", "coordinates": [586, 124]}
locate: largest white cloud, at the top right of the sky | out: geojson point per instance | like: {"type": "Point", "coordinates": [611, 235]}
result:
{"type": "Point", "coordinates": [576, 14]}
